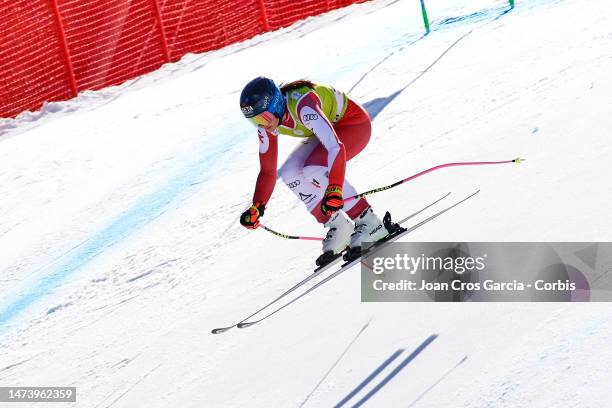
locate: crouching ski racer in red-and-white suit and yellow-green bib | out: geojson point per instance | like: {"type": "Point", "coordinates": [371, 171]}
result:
{"type": "Point", "coordinates": [334, 129]}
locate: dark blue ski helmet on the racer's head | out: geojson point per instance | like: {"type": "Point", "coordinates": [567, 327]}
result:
{"type": "Point", "coordinates": [262, 95]}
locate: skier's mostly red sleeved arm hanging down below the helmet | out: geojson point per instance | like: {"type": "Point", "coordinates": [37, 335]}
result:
{"type": "Point", "coordinates": [268, 155]}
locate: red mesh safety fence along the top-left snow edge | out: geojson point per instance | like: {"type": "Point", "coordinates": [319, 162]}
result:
{"type": "Point", "coordinates": [52, 49]}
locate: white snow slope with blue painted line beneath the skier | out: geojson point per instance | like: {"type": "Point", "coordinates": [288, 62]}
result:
{"type": "Point", "coordinates": [121, 250]}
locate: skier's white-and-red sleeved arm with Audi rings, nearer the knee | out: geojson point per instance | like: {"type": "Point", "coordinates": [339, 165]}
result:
{"type": "Point", "coordinates": [311, 115]}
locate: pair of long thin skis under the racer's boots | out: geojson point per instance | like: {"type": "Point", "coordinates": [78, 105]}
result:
{"type": "Point", "coordinates": [246, 322]}
